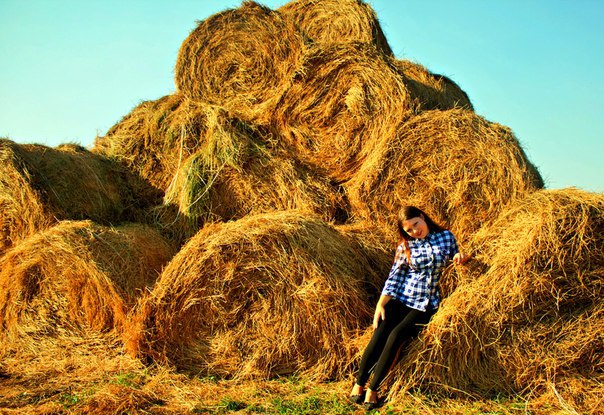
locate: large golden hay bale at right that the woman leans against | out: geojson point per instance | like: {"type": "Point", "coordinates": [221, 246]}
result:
{"type": "Point", "coordinates": [535, 317]}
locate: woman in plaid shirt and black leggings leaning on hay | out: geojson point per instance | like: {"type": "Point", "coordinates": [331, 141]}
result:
{"type": "Point", "coordinates": [409, 298]}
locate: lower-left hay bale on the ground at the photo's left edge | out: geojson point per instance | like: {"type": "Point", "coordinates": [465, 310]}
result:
{"type": "Point", "coordinates": [77, 274]}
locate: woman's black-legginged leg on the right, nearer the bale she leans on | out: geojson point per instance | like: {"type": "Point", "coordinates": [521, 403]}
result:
{"type": "Point", "coordinates": [407, 329]}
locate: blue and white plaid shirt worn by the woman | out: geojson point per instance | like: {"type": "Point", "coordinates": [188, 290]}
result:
{"type": "Point", "coordinates": [416, 285]}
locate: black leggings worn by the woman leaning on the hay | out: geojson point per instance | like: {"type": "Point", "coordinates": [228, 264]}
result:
{"type": "Point", "coordinates": [402, 323]}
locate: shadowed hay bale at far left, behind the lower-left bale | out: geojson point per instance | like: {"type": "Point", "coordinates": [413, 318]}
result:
{"type": "Point", "coordinates": [40, 185]}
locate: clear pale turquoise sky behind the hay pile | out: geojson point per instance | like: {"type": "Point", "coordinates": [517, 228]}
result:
{"type": "Point", "coordinates": [70, 69]}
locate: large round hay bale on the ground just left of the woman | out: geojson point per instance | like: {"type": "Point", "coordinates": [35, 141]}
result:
{"type": "Point", "coordinates": [266, 295]}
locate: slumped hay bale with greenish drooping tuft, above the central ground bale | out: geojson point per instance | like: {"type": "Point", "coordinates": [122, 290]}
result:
{"type": "Point", "coordinates": [213, 167]}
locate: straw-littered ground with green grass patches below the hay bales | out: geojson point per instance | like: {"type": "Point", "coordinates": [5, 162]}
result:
{"type": "Point", "coordinates": [75, 376]}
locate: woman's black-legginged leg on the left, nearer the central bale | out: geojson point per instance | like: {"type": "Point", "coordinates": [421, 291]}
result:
{"type": "Point", "coordinates": [395, 313]}
